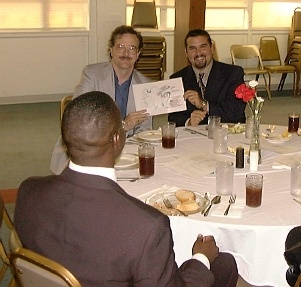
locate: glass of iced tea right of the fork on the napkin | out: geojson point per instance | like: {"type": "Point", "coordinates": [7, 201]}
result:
{"type": "Point", "coordinates": [254, 184]}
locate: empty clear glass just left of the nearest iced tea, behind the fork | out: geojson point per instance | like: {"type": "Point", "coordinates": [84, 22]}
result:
{"type": "Point", "coordinates": [224, 177]}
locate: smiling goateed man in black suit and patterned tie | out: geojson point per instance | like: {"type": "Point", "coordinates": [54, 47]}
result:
{"type": "Point", "coordinates": [213, 94]}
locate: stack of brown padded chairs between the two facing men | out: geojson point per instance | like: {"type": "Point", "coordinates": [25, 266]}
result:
{"type": "Point", "coordinates": [152, 60]}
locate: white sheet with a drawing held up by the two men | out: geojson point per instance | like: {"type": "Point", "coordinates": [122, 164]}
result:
{"type": "Point", "coordinates": [160, 97]}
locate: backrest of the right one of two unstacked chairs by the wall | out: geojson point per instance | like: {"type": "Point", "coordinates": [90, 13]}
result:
{"type": "Point", "coordinates": [269, 49]}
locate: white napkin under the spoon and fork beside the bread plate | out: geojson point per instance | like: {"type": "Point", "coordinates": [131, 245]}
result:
{"type": "Point", "coordinates": [235, 210]}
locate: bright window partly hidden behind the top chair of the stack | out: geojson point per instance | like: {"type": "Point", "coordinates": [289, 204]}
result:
{"type": "Point", "coordinates": [165, 10]}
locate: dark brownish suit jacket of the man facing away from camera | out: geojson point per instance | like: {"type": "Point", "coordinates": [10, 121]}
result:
{"type": "Point", "coordinates": [104, 236]}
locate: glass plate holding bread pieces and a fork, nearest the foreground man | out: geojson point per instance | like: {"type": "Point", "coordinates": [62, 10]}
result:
{"type": "Point", "coordinates": [156, 200]}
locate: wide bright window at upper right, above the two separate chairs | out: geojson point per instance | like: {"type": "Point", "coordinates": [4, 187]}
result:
{"type": "Point", "coordinates": [249, 14]}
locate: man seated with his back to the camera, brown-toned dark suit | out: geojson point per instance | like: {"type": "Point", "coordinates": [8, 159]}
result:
{"type": "Point", "coordinates": [84, 220]}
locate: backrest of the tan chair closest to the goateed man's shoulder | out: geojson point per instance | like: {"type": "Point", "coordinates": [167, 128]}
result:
{"type": "Point", "coordinates": [246, 52]}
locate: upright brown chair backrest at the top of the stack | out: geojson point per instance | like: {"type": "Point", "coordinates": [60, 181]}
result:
{"type": "Point", "coordinates": [144, 15]}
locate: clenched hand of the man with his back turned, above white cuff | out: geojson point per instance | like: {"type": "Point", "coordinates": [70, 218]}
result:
{"type": "Point", "coordinates": [207, 246]}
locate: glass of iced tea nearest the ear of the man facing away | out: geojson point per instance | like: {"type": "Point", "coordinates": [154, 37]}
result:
{"type": "Point", "coordinates": [146, 153]}
